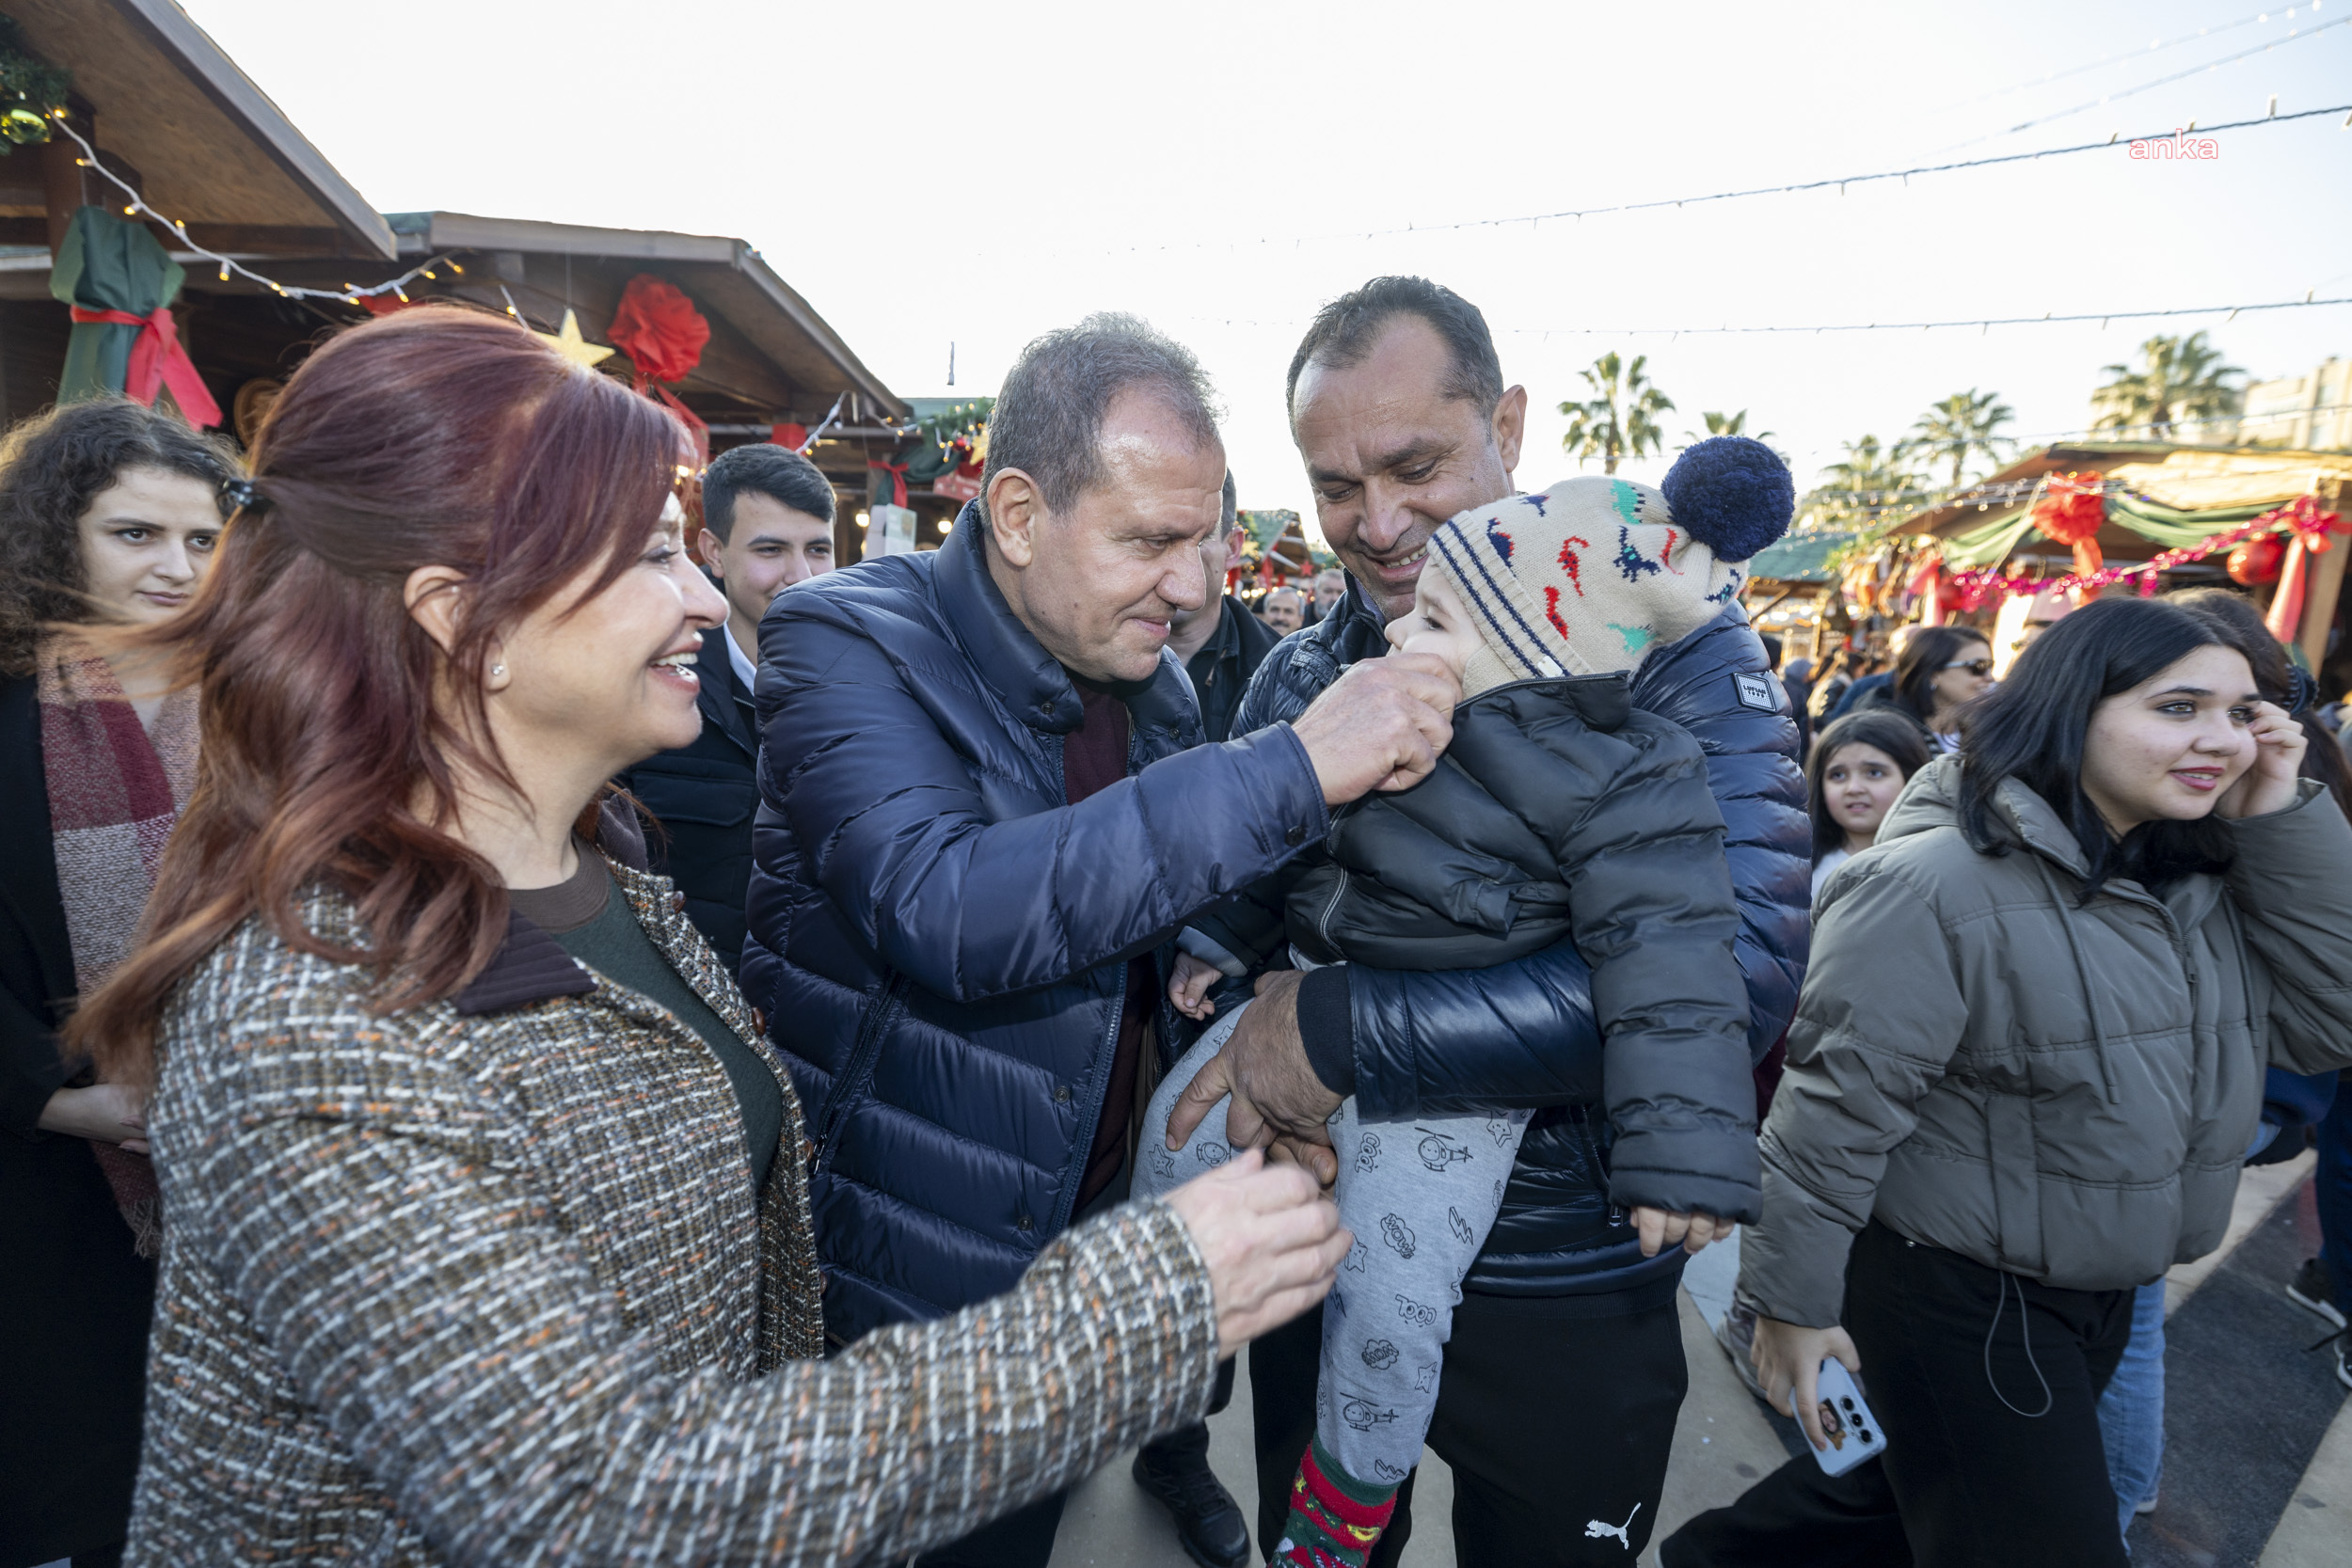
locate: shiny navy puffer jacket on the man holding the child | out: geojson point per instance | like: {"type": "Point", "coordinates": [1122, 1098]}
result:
{"type": "Point", "coordinates": [1525, 1033]}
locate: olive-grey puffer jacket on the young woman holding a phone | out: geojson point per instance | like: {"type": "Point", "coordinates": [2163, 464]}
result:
{"type": "Point", "coordinates": [2050, 1090]}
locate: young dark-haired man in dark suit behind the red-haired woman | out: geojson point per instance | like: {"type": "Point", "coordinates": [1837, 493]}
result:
{"type": "Point", "coordinates": [768, 523]}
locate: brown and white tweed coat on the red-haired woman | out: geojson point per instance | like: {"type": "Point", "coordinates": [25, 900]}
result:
{"type": "Point", "coordinates": [486, 1285]}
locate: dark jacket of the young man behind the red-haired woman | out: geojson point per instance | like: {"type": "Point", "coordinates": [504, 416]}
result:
{"type": "Point", "coordinates": [702, 800]}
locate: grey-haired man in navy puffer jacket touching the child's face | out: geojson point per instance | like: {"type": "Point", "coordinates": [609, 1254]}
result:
{"type": "Point", "coordinates": [987, 808]}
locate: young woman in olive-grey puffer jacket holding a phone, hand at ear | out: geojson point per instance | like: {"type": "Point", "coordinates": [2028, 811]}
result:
{"type": "Point", "coordinates": [2026, 1064]}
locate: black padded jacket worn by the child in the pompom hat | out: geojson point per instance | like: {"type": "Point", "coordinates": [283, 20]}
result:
{"type": "Point", "coordinates": [1563, 815]}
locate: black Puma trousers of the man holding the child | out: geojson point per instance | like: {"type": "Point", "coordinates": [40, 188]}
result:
{"type": "Point", "coordinates": [1549, 1421]}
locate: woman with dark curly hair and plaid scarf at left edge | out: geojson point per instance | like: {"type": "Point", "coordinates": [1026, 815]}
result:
{"type": "Point", "coordinates": [109, 516]}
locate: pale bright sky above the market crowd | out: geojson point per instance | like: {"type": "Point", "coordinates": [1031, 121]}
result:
{"type": "Point", "coordinates": [984, 173]}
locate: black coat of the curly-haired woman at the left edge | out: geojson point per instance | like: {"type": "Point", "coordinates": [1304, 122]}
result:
{"type": "Point", "coordinates": [74, 1296]}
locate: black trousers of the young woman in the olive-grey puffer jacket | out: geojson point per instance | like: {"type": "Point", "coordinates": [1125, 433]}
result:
{"type": "Point", "coordinates": [1979, 1473]}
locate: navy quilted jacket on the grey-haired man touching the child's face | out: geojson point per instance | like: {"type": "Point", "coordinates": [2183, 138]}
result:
{"type": "Point", "coordinates": [940, 942]}
